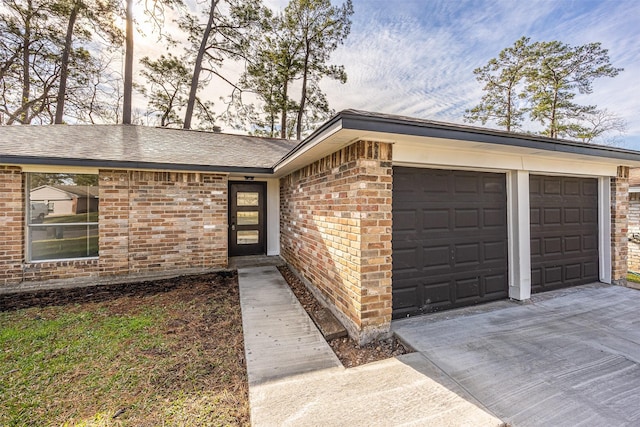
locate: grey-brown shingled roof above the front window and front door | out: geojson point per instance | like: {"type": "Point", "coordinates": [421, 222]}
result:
{"type": "Point", "coordinates": [129, 146]}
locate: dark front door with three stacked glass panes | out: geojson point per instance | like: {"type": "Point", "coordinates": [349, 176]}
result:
{"type": "Point", "coordinates": [247, 218]}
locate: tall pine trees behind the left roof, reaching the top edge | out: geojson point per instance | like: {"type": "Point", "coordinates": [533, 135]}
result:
{"type": "Point", "coordinates": [57, 63]}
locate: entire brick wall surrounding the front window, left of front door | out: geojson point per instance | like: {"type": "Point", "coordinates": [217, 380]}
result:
{"type": "Point", "coordinates": [149, 223]}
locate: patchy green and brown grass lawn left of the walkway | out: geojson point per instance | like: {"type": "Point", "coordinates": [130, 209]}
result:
{"type": "Point", "coordinates": [162, 353]}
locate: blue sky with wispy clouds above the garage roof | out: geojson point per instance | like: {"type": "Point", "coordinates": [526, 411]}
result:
{"type": "Point", "coordinates": [416, 57]}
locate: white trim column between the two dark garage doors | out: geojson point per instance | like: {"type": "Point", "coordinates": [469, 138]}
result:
{"type": "Point", "coordinates": [519, 230]}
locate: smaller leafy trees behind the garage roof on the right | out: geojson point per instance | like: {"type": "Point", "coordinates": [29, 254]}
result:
{"type": "Point", "coordinates": [537, 82]}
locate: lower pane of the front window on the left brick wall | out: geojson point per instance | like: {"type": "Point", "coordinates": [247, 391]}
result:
{"type": "Point", "coordinates": [63, 241]}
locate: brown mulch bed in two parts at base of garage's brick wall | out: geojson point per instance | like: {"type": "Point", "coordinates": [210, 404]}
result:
{"type": "Point", "coordinates": [348, 351]}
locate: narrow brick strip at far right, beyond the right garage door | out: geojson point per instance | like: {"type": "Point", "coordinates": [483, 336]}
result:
{"type": "Point", "coordinates": [619, 225]}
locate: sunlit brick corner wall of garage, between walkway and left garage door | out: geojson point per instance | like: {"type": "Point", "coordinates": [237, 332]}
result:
{"type": "Point", "coordinates": [335, 227]}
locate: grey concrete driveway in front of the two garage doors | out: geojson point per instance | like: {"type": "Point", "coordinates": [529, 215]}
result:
{"type": "Point", "coordinates": [569, 358]}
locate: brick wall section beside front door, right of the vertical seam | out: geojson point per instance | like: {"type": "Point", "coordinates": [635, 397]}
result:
{"type": "Point", "coordinates": [176, 221]}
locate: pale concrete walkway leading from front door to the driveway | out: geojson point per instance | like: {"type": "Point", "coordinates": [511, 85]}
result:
{"type": "Point", "coordinates": [295, 378]}
